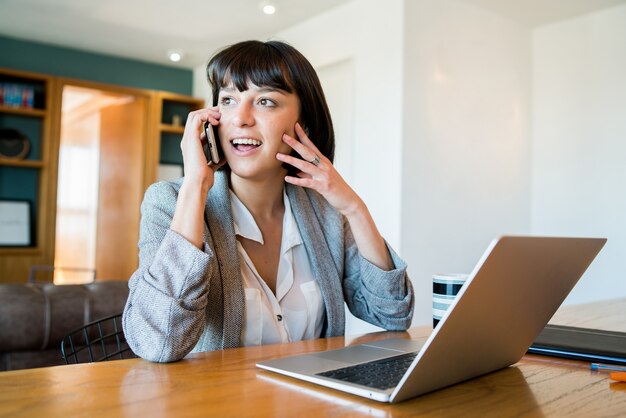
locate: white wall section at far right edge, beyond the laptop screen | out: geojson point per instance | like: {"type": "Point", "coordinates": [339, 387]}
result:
{"type": "Point", "coordinates": [579, 141]}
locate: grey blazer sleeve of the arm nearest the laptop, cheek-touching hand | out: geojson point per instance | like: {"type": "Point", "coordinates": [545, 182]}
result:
{"type": "Point", "coordinates": [383, 298]}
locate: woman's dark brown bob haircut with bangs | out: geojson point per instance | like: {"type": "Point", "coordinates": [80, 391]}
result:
{"type": "Point", "coordinates": [276, 65]}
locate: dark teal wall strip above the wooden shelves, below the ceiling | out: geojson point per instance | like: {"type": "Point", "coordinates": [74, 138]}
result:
{"type": "Point", "coordinates": [72, 63]}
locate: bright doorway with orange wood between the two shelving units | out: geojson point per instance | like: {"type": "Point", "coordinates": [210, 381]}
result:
{"type": "Point", "coordinates": [100, 184]}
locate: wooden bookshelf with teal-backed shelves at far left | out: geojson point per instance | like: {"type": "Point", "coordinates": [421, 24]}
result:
{"type": "Point", "coordinates": [25, 110]}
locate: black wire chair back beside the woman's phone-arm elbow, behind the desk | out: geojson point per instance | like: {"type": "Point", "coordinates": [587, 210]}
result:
{"type": "Point", "coordinates": [100, 340]}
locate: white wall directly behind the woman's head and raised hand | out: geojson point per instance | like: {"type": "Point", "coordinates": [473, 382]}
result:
{"type": "Point", "coordinates": [343, 41]}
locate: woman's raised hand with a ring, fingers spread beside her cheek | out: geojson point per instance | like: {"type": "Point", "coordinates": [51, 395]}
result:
{"type": "Point", "coordinates": [318, 173]}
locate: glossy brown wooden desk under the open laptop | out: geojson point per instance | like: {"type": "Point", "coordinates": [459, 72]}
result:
{"type": "Point", "coordinates": [227, 384]}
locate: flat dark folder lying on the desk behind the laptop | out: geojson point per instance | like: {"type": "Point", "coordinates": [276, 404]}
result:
{"type": "Point", "coordinates": [581, 344]}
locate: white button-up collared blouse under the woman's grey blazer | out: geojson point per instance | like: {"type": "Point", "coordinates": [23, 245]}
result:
{"type": "Point", "coordinates": [296, 312]}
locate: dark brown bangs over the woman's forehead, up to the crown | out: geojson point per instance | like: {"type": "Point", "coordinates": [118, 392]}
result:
{"type": "Point", "coordinates": [250, 63]}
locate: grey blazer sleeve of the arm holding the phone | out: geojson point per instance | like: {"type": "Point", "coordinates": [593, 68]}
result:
{"type": "Point", "coordinates": [164, 315]}
